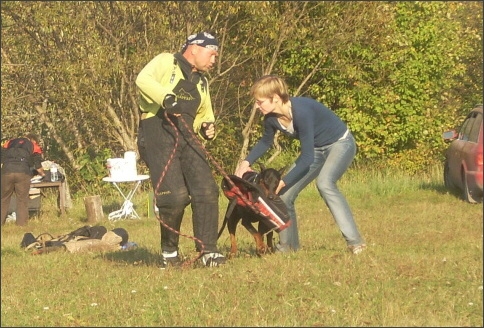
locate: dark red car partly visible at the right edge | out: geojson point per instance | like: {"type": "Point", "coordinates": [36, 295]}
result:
{"type": "Point", "coordinates": [463, 158]}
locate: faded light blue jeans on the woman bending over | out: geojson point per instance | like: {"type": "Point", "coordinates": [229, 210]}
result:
{"type": "Point", "coordinates": [330, 162]}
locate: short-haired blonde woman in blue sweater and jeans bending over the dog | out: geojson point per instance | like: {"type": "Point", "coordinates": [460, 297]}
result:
{"type": "Point", "coordinates": [327, 150]}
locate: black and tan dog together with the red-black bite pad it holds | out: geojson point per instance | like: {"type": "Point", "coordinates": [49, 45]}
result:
{"type": "Point", "coordinates": [265, 208]}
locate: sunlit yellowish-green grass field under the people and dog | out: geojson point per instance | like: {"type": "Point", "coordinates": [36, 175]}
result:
{"type": "Point", "coordinates": [423, 267]}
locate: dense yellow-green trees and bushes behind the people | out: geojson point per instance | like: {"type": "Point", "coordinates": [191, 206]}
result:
{"type": "Point", "coordinates": [399, 73]}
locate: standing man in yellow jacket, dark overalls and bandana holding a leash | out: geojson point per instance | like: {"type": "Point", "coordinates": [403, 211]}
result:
{"type": "Point", "coordinates": [176, 106]}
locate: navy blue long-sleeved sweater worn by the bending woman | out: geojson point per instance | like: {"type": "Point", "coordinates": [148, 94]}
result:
{"type": "Point", "coordinates": [315, 125]}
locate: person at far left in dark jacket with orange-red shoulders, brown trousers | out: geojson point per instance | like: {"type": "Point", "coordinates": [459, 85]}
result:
{"type": "Point", "coordinates": [20, 156]}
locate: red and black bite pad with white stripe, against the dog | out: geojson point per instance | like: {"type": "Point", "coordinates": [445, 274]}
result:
{"type": "Point", "coordinates": [273, 212]}
